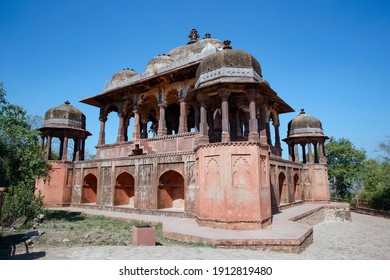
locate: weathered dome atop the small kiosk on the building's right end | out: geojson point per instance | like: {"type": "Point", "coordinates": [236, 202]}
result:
{"type": "Point", "coordinates": [305, 125]}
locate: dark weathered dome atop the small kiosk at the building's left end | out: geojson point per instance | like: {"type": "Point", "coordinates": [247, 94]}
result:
{"type": "Point", "coordinates": [64, 116]}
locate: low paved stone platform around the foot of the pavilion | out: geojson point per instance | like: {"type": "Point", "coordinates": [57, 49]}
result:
{"type": "Point", "coordinates": [291, 229]}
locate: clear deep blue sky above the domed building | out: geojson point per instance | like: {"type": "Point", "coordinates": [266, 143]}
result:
{"type": "Point", "coordinates": [331, 57]}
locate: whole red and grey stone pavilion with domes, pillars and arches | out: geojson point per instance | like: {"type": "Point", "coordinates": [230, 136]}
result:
{"type": "Point", "coordinates": [198, 137]}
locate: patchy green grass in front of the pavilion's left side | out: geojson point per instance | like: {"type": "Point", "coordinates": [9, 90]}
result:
{"type": "Point", "coordinates": [72, 229]}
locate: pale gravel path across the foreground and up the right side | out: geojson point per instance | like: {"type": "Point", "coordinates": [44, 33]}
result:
{"type": "Point", "coordinates": [364, 238]}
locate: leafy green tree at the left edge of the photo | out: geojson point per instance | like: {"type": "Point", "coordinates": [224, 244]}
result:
{"type": "Point", "coordinates": [21, 161]}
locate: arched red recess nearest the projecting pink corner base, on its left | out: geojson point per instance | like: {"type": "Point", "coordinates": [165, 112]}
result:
{"type": "Point", "coordinates": [170, 193]}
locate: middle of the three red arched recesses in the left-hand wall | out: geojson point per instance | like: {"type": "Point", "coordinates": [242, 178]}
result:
{"type": "Point", "coordinates": [124, 190]}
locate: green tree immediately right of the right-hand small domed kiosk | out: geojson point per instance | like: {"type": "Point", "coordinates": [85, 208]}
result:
{"type": "Point", "coordinates": [345, 166]}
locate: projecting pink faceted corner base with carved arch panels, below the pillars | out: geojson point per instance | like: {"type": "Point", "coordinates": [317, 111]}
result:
{"type": "Point", "coordinates": [233, 186]}
